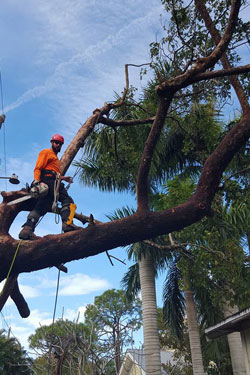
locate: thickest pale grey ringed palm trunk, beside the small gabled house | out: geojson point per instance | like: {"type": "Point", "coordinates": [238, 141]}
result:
{"type": "Point", "coordinates": [149, 314]}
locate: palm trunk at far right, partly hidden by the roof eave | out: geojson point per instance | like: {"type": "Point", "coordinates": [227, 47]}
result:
{"type": "Point", "coordinates": [235, 344]}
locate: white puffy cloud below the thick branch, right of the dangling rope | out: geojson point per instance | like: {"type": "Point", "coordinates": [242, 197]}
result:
{"type": "Point", "coordinates": [79, 284]}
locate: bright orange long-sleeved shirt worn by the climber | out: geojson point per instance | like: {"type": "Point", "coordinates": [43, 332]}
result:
{"type": "Point", "coordinates": [47, 159]}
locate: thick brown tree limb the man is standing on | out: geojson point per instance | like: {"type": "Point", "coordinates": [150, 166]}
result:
{"type": "Point", "coordinates": [55, 249]}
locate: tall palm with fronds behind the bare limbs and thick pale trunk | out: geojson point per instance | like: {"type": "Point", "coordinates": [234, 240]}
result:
{"type": "Point", "coordinates": [125, 144]}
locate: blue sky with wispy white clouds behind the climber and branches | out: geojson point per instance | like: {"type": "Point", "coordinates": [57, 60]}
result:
{"type": "Point", "coordinates": [59, 61]}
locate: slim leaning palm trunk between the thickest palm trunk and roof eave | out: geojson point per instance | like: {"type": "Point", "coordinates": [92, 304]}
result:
{"type": "Point", "coordinates": [193, 329]}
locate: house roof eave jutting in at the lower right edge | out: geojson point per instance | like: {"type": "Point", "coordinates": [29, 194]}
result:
{"type": "Point", "coordinates": [234, 323]}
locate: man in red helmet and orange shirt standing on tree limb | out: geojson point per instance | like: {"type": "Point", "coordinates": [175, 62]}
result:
{"type": "Point", "coordinates": [47, 171]}
